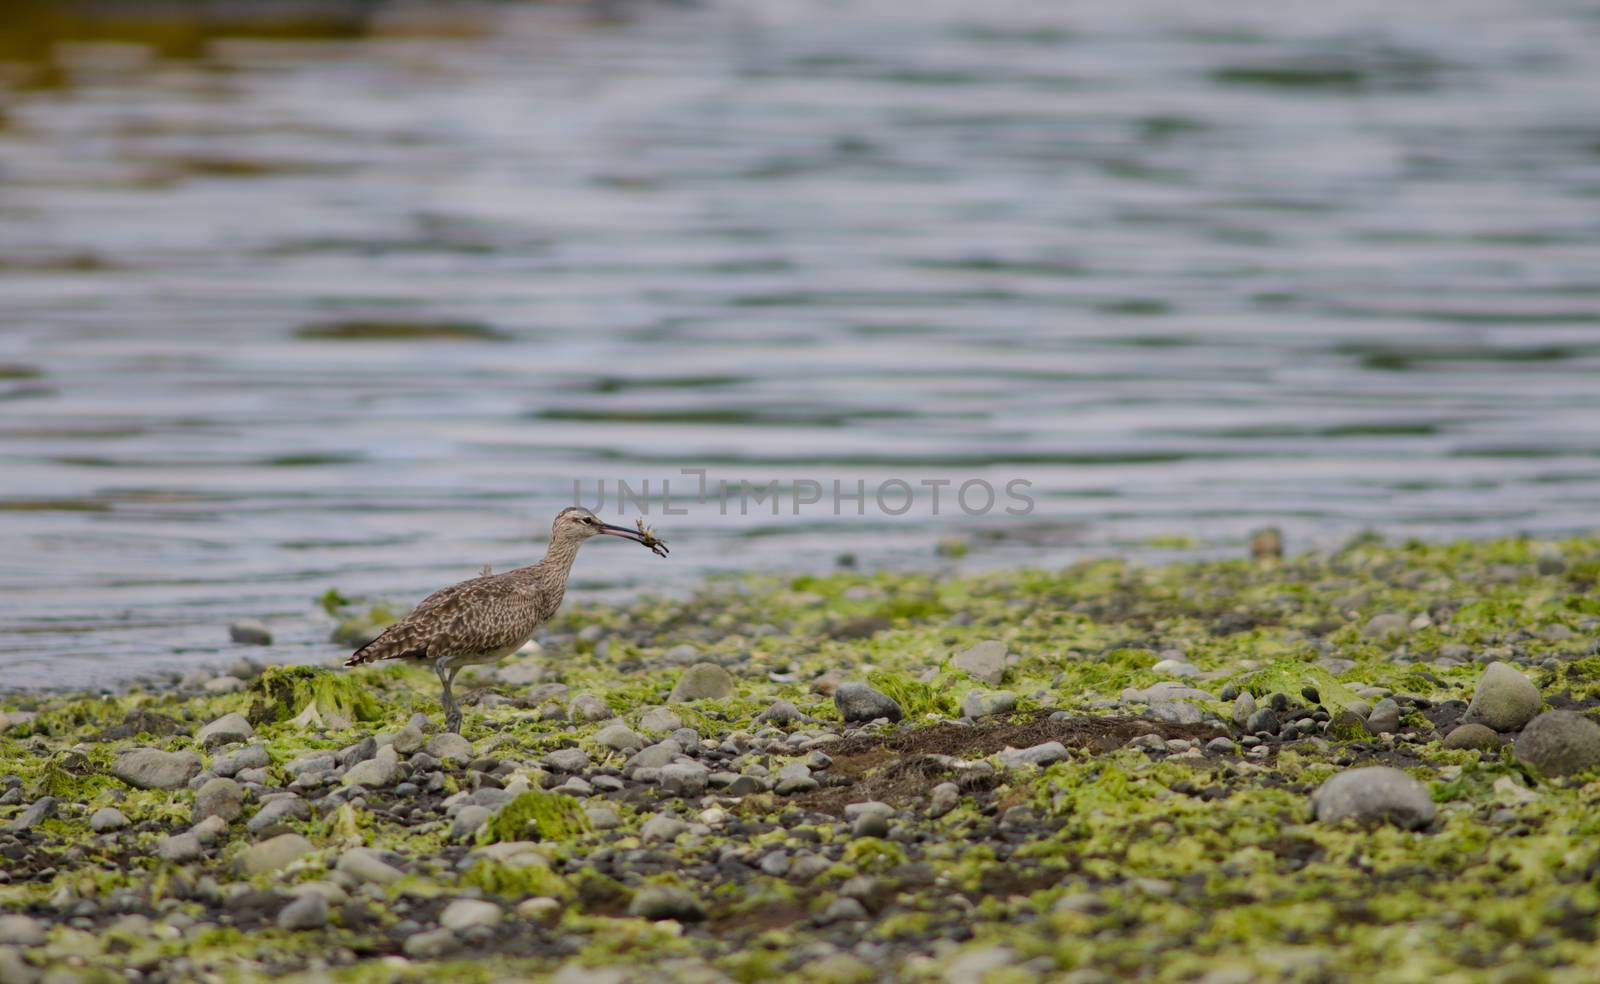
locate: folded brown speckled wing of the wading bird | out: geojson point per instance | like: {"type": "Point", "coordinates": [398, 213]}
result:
{"type": "Point", "coordinates": [474, 617]}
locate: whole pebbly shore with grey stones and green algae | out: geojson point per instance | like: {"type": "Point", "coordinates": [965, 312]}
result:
{"type": "Point", "coordinates": [1375, 764]}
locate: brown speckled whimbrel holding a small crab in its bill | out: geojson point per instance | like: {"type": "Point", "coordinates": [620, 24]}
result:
{"type": "Point", "coordinates": [487, 618]}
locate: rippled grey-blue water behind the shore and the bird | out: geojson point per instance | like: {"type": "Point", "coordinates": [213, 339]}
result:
{"type": "Point", "coordinates": [1188, 270]}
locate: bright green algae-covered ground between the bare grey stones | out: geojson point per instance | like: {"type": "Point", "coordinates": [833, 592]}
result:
{"type": "Point", "coordinates": [1111, 865]}
